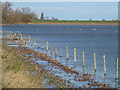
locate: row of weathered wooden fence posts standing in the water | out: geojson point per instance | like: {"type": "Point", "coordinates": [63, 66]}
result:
{"type": "Point", "coordinates": [49, 47]}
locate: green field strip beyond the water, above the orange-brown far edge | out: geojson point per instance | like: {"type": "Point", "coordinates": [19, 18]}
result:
{"type": "Point", "coordinates": [71, 21]}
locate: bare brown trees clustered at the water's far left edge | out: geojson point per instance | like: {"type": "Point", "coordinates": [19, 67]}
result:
{"type": "Point", "coordinates": [15, 16]}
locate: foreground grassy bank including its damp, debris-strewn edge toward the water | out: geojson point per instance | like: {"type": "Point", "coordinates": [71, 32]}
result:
{"type": "Point", "coordinates": [20, 72]}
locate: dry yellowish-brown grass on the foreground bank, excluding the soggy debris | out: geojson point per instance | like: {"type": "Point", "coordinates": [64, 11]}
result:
{"type": "Point", "coordinates": [14, 74]}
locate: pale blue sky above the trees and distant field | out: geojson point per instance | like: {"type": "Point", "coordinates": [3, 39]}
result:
{"type": "Point", "coordinates": [73, 10]}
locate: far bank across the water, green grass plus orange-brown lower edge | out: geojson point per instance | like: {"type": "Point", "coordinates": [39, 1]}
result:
{"type": "Point", "coordinates": [75, 22]}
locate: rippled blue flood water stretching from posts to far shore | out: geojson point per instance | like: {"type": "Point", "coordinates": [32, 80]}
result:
{"type": "Point", "coordinates": [101, 39]}
